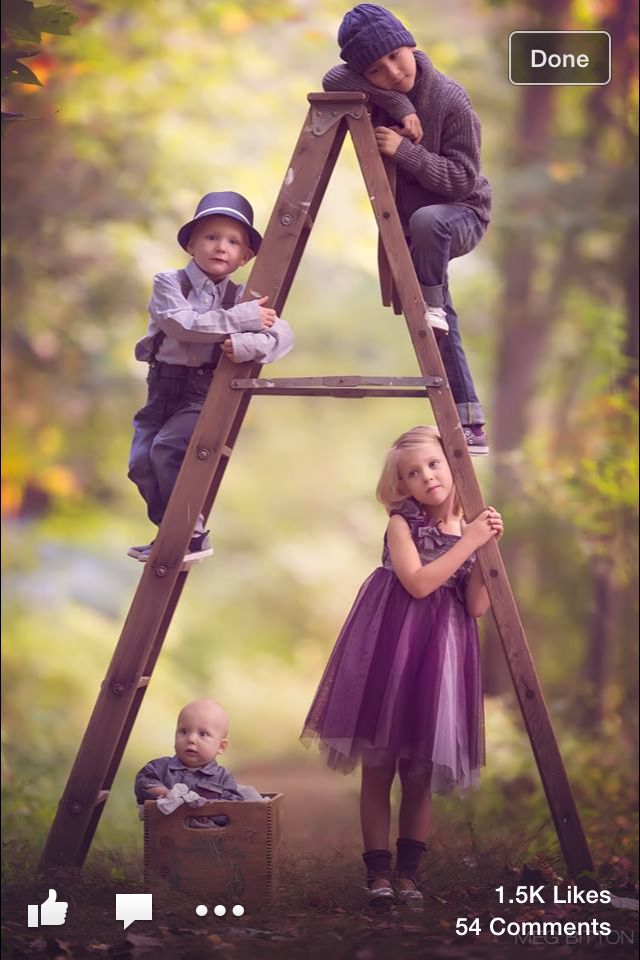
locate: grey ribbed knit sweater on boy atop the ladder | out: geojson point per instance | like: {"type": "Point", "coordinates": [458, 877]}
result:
{"type": "Point", "coordinates": [445, 166]}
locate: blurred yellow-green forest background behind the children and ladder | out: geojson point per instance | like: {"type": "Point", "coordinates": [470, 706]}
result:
{"type": "Point", "coordinates": [143, 108]}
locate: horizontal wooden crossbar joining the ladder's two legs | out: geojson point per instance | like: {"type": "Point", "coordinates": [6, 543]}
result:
{"type": "Point", "coordinates": [346, 386]}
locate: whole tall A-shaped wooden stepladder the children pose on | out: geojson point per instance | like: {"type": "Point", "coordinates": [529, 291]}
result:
{"type": "Point", "coordinates": [329, 118]}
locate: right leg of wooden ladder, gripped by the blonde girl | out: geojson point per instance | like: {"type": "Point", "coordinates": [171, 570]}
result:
{"type": "Point", "coordinates": [516, 649]}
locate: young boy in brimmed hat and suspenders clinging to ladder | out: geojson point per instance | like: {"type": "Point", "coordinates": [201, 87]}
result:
{"type": "Point", "coordinates": [195, 316]}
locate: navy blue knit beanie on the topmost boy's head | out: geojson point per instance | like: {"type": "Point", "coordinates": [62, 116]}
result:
{"type": "Point", "coordinates": [367, 33]}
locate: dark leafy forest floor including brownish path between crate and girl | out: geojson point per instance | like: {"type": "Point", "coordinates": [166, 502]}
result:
{"type": "Point", "coordinates": [322, 910]}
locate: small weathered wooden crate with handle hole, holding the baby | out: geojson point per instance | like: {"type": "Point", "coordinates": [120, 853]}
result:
{"type": "Point", "coordinates": [234, 864]}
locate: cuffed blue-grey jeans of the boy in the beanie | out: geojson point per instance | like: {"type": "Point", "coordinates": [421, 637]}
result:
{"type": "Point", "coordinates": [438, 234]}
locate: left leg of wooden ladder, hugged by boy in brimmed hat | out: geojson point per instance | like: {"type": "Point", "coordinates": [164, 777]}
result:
{"type": "Point", "coordinates": [77, 813]}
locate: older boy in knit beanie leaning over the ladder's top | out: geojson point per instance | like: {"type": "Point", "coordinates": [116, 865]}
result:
{"type": "Point", "coordinates": [425, 121]}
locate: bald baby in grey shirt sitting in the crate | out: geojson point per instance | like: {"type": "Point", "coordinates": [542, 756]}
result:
{"type": "Point", "coordinates": [193, 775]}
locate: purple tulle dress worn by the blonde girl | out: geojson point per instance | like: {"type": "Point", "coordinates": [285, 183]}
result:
{"type": "Point", "coordinates": [403, 680]}
